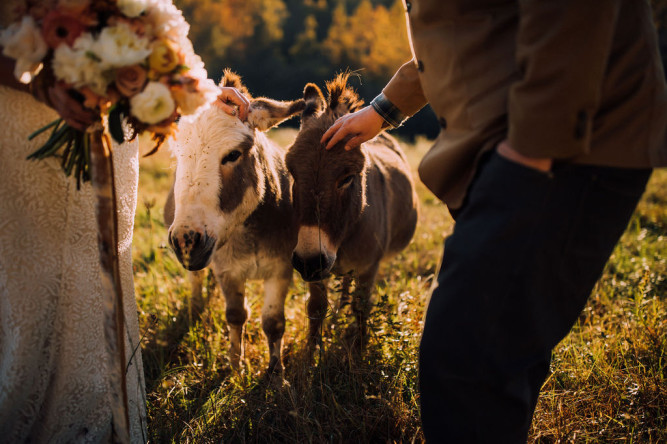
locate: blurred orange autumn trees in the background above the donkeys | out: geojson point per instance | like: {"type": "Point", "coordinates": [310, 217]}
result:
{"type": "Point", "coordinates": [278, 46]}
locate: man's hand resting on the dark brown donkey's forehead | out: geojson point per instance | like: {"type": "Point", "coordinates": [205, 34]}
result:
{"type": "Point", "coordinates": [363, 125]}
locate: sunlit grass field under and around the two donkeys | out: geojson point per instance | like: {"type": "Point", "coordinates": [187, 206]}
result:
{"type": "Point", "coordinates": [608, 378]}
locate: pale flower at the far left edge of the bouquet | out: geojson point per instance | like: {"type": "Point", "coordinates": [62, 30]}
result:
{"type": "Point", "coordinates": [23, 42]}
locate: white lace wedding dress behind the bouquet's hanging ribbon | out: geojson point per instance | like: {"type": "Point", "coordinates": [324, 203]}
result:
{"type": "Point", "coordinates": [54, 384]}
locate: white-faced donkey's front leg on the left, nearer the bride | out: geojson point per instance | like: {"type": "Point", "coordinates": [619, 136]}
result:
{"type": "Point", "coordinates": [236, 313]}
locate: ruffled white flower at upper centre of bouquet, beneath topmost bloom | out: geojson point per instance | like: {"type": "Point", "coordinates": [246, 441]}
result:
{"type": "Point", "coordinates": [119, 46]}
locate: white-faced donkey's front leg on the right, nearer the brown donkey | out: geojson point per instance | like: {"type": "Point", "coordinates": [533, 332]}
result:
{"type": "Point", "coordinates": [273, 318]}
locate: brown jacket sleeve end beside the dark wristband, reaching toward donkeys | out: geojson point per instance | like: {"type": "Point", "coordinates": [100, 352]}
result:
{"type": "Point", "coordinates": [404, 90]}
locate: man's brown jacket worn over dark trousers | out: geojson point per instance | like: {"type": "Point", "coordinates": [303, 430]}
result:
{"type": "Point", "coordinates": [574, 80]}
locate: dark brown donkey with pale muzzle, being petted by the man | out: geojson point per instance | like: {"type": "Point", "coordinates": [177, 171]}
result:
{"type": "Point", "coordinates": [353, 208]}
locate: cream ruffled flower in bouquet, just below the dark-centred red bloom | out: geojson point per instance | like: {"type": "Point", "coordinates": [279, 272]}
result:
{"type": "Point", "coordinates": [78, 66]}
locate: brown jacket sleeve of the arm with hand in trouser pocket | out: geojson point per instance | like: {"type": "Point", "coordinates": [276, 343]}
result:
{"type": "Point", "coordinates": [562, 52]}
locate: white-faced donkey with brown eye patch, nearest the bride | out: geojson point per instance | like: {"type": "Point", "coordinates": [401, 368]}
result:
{"type": "Point", "coordinates": [230, 208]}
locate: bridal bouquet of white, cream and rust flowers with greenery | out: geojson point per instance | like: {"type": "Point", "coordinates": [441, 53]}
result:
{"type": "Point", "coordinates": [128, 60]}
